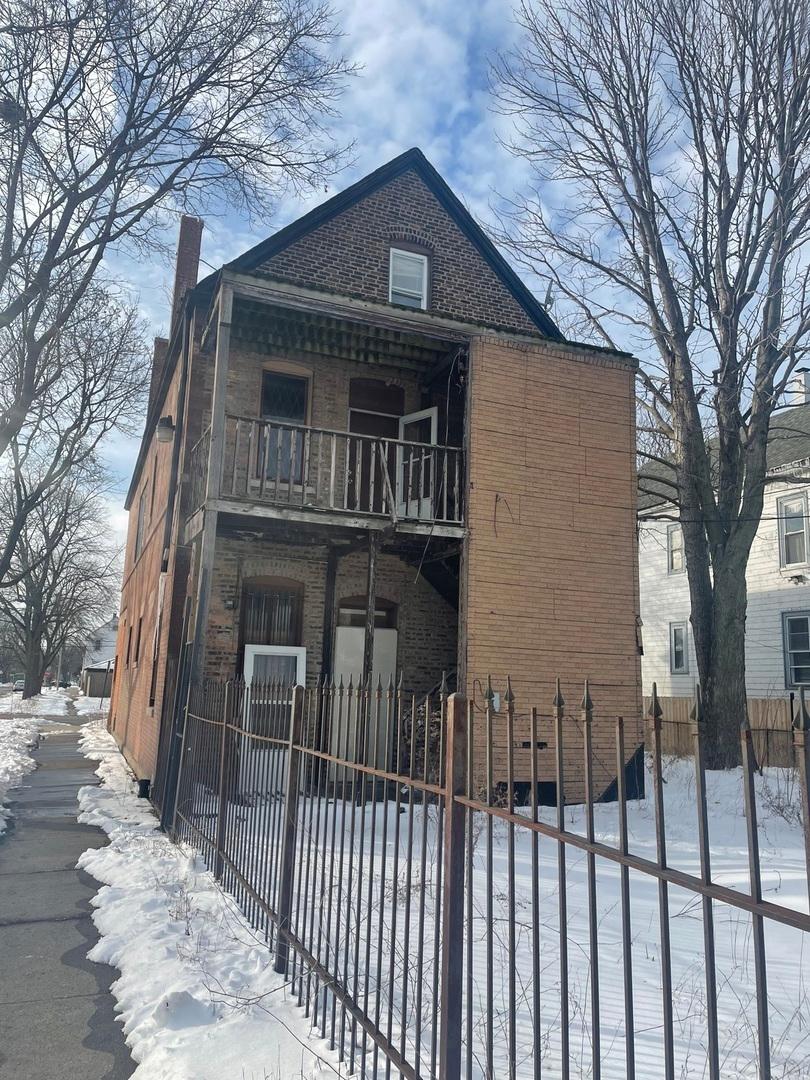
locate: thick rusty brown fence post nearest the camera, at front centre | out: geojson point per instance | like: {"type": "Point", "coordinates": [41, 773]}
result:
{"type": "Point", "coordinates": [453, 900]}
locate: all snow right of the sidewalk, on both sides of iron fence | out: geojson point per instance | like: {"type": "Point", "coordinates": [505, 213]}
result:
{"type": "Point", "coordinates": [197, 982]}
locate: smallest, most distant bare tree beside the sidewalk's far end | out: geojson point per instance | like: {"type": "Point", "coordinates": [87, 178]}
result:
{"type": "Point", "coordinates": [66, 573]}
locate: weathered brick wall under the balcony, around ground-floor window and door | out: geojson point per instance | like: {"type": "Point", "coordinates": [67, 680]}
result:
{"type": "Point", "coordinates": [427, 625]}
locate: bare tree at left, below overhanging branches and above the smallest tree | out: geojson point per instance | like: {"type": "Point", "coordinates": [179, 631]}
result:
{"type": "Point", "coordinates": [103, 377]}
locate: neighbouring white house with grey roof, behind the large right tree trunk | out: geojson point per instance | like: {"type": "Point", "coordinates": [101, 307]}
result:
{"type": "Point", "coordinates": [778, 625]}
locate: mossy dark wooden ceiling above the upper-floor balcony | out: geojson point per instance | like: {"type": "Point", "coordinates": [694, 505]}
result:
{"type": "Point", "coordinates": [277, 329]}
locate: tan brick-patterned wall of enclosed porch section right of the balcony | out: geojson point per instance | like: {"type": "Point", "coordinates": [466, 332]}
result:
{"type": "Point", "coordinates": [551, 569]}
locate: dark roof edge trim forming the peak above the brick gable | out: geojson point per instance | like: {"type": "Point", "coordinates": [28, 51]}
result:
{"type": "Point", "coordinates": [415, 161]}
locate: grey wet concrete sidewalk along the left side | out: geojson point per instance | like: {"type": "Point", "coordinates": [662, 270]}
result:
{"type": "Point", "coordinates": [57, 1011]}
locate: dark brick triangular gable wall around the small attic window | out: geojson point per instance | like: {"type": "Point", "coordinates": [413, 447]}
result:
{"type": "Point", "coordinates": [350, 255]}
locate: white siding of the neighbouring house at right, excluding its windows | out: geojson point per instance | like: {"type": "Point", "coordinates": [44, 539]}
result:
{"type": "Point", "coordinates": [665, 599]}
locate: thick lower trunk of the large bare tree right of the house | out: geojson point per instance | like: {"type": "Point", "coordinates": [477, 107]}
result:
{"type": "Point", "coordinates": [723, 671]}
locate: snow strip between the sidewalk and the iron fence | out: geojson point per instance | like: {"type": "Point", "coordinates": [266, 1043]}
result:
{"type": "Point", "coordinates": [197, 995]}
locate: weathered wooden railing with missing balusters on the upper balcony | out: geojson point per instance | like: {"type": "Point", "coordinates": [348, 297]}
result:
{"type": "Point", "coordinates": [288, 465]}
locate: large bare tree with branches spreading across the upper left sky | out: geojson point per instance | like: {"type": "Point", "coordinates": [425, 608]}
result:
{"type": "Point", "coordinates": [113, 114]}
